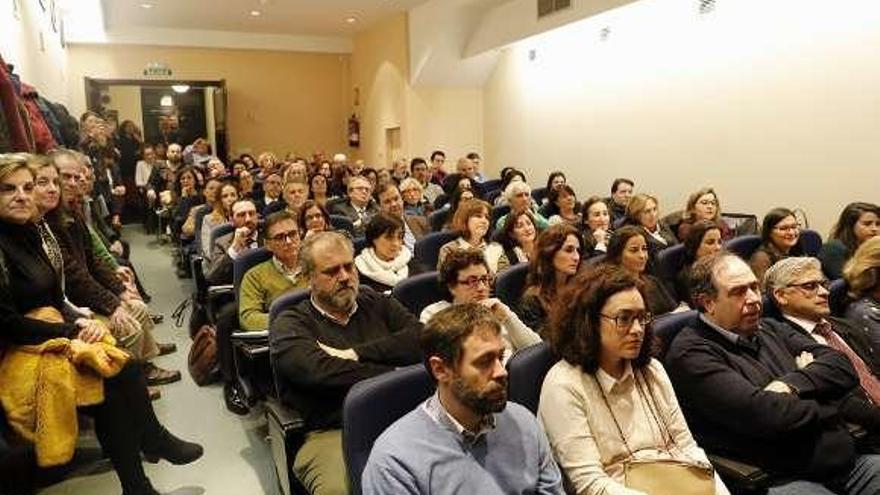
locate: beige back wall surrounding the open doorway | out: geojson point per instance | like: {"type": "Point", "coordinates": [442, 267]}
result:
{"type": "Point", "coordinates": [279, 101]}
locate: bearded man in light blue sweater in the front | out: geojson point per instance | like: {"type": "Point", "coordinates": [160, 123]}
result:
{"type": "Point", "coordinates": [466, 438]}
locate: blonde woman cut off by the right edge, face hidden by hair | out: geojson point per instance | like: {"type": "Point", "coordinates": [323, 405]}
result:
{"type": "Point", "coordinates": [862, 275]}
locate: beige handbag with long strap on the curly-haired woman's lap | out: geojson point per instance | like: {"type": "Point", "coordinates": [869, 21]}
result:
{"type": "Point", "coordinates": [661, 476]}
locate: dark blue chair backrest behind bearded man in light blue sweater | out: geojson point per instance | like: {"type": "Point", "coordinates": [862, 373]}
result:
{"type": "Point", "coordinates": [371, 406]}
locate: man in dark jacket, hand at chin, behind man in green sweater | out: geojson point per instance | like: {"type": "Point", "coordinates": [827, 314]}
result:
{"type": "Point", "coordinates": [227, 247]}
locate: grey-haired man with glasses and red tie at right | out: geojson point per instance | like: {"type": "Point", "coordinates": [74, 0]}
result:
{"type": "Point", "coordinates": [799, 289]}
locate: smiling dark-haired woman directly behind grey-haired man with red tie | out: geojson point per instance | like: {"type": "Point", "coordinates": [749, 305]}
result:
{"type": "Point", "coordinates": [780, 234]}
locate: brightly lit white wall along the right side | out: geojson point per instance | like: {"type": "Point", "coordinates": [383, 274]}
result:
{"type": "Point", "coordinates": [773, 103]}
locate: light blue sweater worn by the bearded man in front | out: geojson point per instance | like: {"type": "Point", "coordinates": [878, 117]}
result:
{"type": "Point", "coordinates": [419, 455]}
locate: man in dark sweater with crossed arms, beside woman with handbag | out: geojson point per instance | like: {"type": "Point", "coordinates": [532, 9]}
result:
{"type": "Point", "coordinates": [765, 396]}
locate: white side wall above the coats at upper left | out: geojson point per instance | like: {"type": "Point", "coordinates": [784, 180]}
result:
{"type": "Point", "coordinates": [42, 65]}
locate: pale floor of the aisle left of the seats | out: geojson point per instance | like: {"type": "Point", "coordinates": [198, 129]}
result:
{"type": "Point", "coordinates": [237, 458]}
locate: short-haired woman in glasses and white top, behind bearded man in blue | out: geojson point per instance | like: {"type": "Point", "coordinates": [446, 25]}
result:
{"type": "Point", "coordinates": [467, 278]}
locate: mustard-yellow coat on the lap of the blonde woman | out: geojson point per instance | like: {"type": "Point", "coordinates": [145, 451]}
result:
{"type": "Point", "coordinates": [42, 385]}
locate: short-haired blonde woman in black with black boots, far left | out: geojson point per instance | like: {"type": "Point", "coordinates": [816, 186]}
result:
{"type": "Point", "coordinates": [30, 282]}
